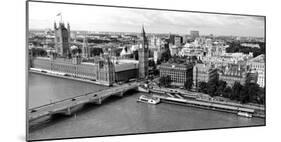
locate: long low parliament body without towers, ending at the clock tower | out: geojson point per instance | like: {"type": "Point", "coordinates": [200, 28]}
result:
{"type": "Point", "coordinates": [102, 70]}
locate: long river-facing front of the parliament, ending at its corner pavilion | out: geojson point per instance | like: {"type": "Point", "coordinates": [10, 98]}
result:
{"type": "Point", "coordinates": [102, 71]}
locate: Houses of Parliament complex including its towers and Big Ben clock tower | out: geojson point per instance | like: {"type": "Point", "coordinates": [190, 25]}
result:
{"type": "Point", "coordinates": [102, 69]}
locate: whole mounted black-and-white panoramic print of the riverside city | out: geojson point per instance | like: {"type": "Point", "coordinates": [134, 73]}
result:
{"type": "Point", "coordinates": [131, 71]}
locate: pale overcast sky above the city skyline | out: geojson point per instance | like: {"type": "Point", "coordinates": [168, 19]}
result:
{"type": "Point", "coordinates": [96, 18]}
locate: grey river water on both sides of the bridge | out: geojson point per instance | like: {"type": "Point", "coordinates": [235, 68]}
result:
{"type": "Point", "coordinates": [118, 115]}
